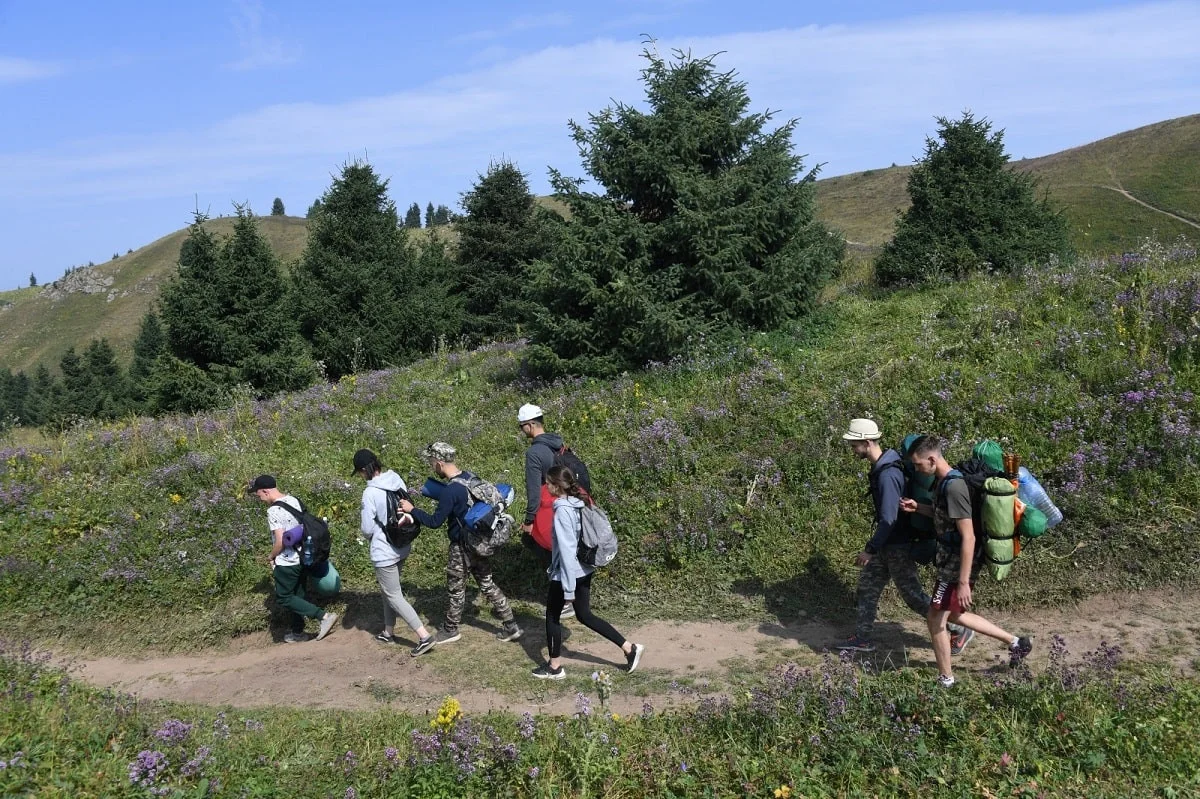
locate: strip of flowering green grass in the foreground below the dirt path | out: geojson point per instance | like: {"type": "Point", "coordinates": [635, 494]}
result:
{"type": "Point", "coordinates": [1083, 729]}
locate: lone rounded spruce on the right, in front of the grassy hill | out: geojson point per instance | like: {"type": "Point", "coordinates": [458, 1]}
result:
{"type": "Point", "coordinates": [970, 212]}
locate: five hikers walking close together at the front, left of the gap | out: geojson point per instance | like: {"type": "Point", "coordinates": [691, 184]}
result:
{"type": "Point", "coordinates": [567, 531]}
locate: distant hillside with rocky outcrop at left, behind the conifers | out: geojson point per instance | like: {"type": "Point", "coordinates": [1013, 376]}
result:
{"type": "Point", "coordinates": [109, 301]}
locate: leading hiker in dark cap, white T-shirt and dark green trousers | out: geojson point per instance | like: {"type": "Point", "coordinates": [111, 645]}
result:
{"type": "Point", "coordinates": [285, 561]}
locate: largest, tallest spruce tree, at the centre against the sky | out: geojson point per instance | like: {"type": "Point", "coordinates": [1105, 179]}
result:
{"type": "Point", "coordinates": [707, 223]}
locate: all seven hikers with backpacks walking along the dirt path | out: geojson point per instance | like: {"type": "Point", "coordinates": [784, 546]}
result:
{"type": "Point", "coordinates": [926, 512]}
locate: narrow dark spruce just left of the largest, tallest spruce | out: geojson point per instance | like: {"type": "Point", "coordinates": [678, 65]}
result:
{"type": "Point", "coordinates": [502, 231]}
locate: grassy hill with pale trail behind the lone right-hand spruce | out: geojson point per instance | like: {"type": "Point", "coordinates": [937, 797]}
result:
{"type": "Point", "coordinates": [1159, 165]}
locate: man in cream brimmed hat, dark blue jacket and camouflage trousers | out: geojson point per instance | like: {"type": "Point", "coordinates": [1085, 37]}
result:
{"type": "Point", "coordinates": [889, 555]}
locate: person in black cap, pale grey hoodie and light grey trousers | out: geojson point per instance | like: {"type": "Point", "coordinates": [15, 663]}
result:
{"type": "Point", "coordinates": [387, 560]}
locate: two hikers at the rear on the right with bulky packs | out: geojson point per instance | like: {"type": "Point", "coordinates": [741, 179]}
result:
{"type": "Point", "coordinates": [958, 518]}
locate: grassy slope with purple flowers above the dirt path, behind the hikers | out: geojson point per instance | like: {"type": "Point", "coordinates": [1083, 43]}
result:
{"type": "Point", "coordinates": [724, 470]}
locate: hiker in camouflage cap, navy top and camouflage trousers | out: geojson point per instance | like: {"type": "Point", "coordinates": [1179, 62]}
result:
{"type": "Point", "coordinates": [453, 504]}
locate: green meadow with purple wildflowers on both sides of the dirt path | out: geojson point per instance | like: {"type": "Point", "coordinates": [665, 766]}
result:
{"type": "Point", "coordinates": [723, 472]}
